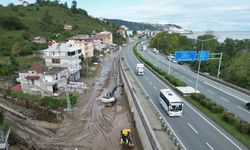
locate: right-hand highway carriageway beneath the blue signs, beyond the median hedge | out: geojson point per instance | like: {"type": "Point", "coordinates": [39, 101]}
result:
{"type": "Point", "coordinates": [229, 98]}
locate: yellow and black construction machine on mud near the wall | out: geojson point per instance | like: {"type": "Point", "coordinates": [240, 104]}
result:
{"type": "Point", "coordinates": [126, 139]}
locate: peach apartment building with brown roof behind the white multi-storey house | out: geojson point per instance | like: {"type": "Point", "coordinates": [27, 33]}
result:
{"type": "Point", "coordinates": [85, 42]}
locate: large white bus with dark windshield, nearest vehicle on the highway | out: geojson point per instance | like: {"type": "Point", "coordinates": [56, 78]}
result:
{"type": "Point", "coordinates": [170, 102]}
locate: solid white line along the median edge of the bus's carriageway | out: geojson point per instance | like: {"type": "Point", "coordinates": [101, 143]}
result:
{"type": "Point", "coordinates": [201, 116]}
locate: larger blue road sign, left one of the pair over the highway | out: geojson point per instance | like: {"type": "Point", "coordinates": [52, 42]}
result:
{"type": "Point", "coordinates": [185, 55]}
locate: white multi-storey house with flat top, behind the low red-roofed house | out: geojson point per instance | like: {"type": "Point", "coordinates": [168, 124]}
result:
{"type": "Point", "coordinates": [64, 55]}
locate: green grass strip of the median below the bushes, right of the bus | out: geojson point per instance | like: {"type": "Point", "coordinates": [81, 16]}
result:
{"type": "Point", "coordinates": [245, 139]}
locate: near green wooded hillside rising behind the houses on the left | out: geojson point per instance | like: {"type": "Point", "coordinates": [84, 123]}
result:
{"type": "Point", "coordinates": [20, 25]}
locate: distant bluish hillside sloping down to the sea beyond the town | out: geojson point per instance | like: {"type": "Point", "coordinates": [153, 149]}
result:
{"type": "Point", "coordinates": [143, 26]}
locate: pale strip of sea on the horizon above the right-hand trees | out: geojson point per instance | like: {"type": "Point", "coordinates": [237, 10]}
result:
{"type": "Point", "coordinates": [222, 35]}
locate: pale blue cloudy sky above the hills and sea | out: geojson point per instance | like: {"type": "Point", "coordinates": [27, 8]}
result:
{"type": "Point", "coordinates": [197, 15]}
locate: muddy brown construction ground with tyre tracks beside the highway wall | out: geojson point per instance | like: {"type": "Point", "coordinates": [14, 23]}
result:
{"type": "Point", "coordinates": [90, 125]}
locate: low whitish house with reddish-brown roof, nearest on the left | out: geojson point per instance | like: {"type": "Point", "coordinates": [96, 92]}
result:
{"type": "Point", "coordinates": [41, 80]}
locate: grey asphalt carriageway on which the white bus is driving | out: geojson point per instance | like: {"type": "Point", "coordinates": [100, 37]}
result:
{"type": "Point", "coordinates": [195, 131]}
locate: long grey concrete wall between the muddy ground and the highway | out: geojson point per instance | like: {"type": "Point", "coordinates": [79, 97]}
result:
{"type": "Point", "coordinates": [154, 144]}
